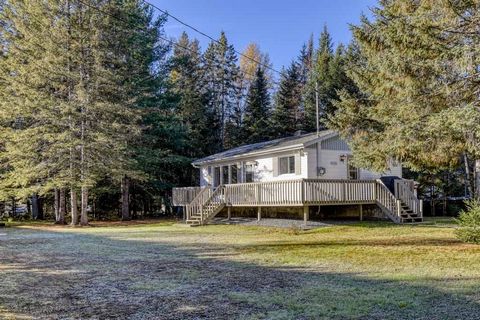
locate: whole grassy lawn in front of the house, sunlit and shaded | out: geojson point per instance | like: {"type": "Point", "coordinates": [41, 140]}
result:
{"type": "Point", "coordinates": [166, 271]}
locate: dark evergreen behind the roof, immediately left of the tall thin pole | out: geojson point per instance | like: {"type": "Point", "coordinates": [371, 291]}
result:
{"type": "Point", "coordinates": [287, 115]}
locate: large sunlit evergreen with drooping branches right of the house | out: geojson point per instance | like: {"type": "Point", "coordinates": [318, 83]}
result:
{"type": "Point", "coordinates": [415, 65]}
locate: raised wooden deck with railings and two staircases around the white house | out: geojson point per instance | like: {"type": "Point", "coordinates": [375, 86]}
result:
{"type": "Point", "coordinates": [204, 203]}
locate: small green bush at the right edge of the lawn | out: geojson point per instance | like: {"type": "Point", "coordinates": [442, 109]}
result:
{"type": "Point", "coordinates": [469, 222]}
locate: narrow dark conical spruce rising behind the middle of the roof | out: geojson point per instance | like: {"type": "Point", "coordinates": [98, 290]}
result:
{"type": "Point", "coordinates": [257, 110]}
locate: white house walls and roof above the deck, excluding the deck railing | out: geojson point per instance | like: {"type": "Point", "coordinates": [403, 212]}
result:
{"type": "Point", "coordinates": [309, 156]}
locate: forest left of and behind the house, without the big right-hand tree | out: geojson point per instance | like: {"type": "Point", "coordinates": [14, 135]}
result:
{"type": "Point", "coordinates": [101, 109]}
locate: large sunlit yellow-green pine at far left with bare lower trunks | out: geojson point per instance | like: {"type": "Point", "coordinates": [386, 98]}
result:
{"type": "Point", "coordinates": [79, 119]}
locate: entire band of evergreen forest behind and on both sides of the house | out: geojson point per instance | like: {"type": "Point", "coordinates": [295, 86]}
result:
{"type": "Point", "coordinates": [100, 110]}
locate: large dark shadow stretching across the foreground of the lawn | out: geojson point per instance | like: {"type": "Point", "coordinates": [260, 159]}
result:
{"type": "Point", "coordinates": [76, 275]}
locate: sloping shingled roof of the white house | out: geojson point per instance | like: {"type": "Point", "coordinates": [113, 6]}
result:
{"type": "Point", "coordinates": [293, 142]}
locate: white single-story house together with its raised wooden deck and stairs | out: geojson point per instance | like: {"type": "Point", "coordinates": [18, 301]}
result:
{"type": "Point", "coordinates": [303, 170]}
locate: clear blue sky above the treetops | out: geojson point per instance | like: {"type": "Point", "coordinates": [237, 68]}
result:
{"type": "Point", "coordinates": [279, 27]}
